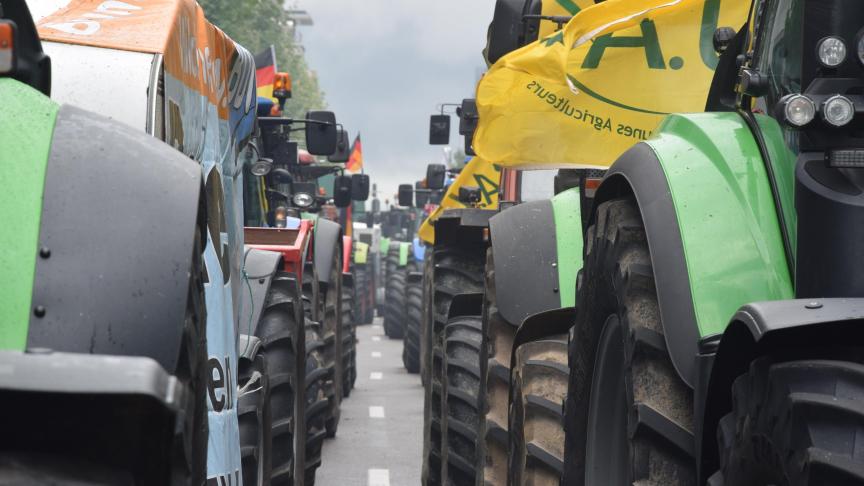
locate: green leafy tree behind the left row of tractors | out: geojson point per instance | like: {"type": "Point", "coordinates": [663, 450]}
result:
{"type": "Point", "coordinates": [256, 24]}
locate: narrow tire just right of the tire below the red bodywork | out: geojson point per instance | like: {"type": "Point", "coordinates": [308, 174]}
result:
{"type": "Point", "coordinates": [318, 375]}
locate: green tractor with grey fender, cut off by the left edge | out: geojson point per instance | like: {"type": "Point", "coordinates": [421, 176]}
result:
{"type": "Point", "coordinates": [104, 322]}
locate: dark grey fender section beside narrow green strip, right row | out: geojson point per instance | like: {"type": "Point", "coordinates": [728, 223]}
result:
{"type": "Point", "coordinates": [526, 256]}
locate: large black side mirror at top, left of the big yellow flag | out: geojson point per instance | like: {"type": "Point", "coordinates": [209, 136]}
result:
{"type": "Point", "coordinates": [509, 29]}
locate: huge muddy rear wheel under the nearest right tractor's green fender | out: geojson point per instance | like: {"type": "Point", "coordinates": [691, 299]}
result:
{"type": "Point", "coordinates": [629, 416]}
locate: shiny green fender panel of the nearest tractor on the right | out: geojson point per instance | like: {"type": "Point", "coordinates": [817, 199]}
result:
{"type": "Point", "coordinates": [725, 210]}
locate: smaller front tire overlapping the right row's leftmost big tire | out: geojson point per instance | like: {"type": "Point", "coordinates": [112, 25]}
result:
{"type": "Point", "coordinates": [460, 425]}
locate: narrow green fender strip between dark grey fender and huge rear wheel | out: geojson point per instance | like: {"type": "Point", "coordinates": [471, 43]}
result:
{"type": "Point", "coordinates": [568, 240]}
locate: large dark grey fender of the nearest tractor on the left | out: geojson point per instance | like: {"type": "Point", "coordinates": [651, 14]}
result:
{"type": "Point", "coordinates": [119, 220]}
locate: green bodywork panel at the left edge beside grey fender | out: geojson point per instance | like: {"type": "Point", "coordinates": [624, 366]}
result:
{"type": "Point", "coordinates": [26, 129]}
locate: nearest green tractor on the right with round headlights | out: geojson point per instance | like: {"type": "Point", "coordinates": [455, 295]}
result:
{"type": "Point", "coordinates": [718, 333]}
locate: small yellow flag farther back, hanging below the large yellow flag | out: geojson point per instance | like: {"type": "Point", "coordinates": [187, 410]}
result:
{"type": "Point", "coordinates": [478, 172]}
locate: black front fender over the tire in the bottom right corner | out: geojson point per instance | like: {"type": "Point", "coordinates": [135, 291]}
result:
{"type": "Point", "coordinates": [802, 329]}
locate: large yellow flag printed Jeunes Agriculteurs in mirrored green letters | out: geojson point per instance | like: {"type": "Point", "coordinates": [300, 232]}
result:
{"type": "Point", "coordinates": [585, 94]}
